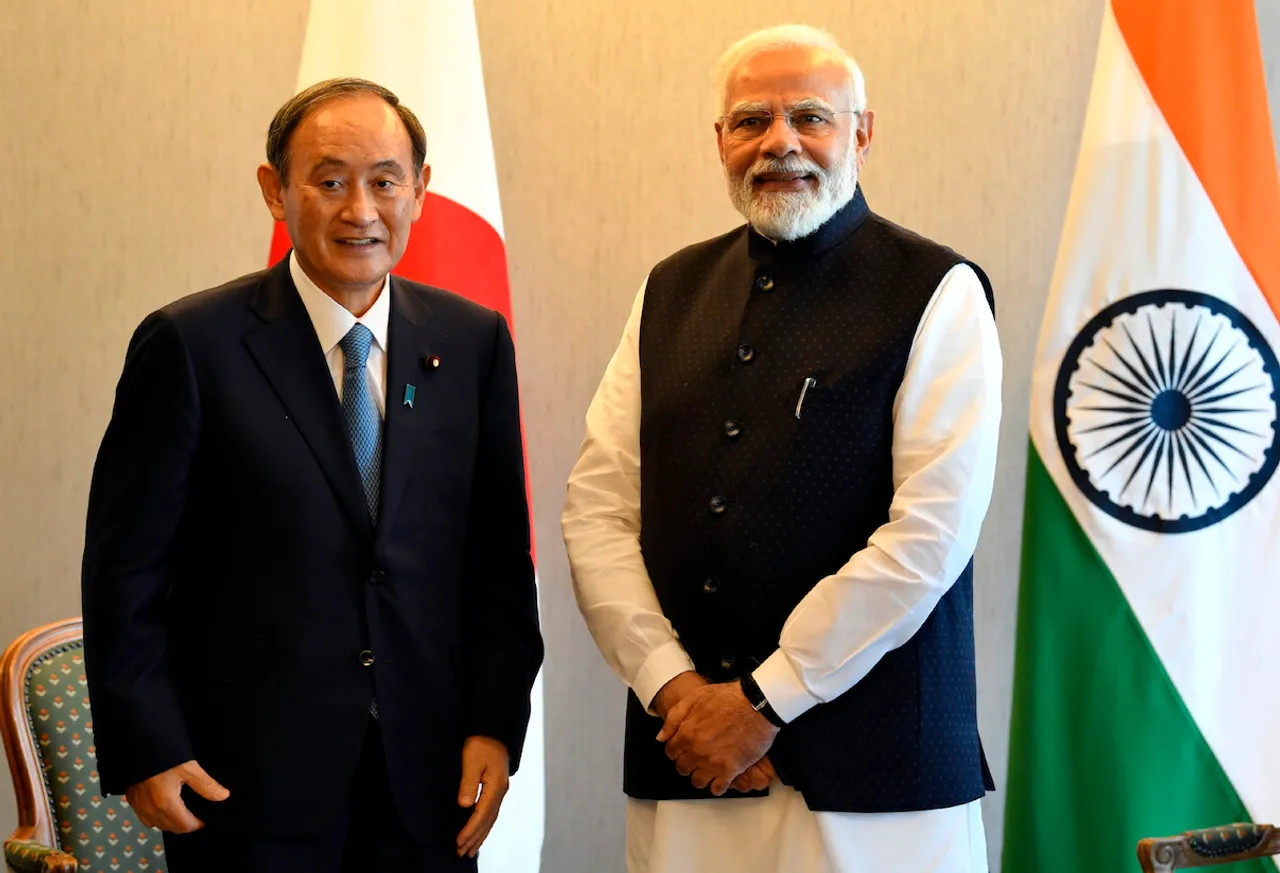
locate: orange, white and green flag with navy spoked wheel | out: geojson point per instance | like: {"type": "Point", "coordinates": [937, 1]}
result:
{"type": "Point", "coordinates": [1149, 623]}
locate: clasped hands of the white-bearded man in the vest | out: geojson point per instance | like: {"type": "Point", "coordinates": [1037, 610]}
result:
{"type": "Point", "coordinates": [714, 735]}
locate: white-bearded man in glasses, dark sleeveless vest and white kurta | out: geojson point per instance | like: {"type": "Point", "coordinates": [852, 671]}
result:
{"type": "Point", "coordinates": [774, 518]}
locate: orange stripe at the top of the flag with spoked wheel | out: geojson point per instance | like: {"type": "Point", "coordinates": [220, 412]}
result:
{"type": "Point", "coordinates": [1203, 63]}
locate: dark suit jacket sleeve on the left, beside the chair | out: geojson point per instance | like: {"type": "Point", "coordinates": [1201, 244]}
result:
{"type": "Point", "coordinates": [136, 502]}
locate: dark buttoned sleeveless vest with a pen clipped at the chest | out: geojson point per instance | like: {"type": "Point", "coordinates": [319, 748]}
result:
{"type": "Point", "coordinates": [751, 497]}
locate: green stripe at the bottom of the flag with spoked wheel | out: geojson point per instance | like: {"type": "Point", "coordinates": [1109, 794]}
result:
{"type": "Point", "coordinates": [1103, 751]}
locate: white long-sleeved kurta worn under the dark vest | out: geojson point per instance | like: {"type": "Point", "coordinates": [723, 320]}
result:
{"type": "Point", "coordinates": [947, 420]}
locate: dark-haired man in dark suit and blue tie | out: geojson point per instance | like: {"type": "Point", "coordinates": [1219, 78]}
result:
{"type": "Point", "coordinates": [309, 601]}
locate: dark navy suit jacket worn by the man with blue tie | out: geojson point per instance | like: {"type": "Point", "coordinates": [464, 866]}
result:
{"type": "Point", "coordinates": [234, 579]}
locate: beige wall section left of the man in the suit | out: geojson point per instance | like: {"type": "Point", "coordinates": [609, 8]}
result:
{"type": "Point", "coordinates": [131, 134]}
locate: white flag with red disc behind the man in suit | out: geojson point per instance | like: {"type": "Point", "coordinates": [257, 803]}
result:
{"type": "Point", "coordinates": [428, 53]}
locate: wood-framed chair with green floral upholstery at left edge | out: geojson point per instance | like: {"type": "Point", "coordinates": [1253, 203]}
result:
{"type": "Point", "coordinates": [65, 824]}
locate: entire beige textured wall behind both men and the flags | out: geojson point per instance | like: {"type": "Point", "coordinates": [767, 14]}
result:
{"type": "Point", "coordinates": [131, 132]}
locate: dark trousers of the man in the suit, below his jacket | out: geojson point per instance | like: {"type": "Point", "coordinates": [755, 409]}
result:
{"type": "Point", "coordinates": [371, 840]}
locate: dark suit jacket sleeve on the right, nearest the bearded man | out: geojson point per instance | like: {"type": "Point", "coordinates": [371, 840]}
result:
{"type": "Point", "coordinates": [504, 647]}
